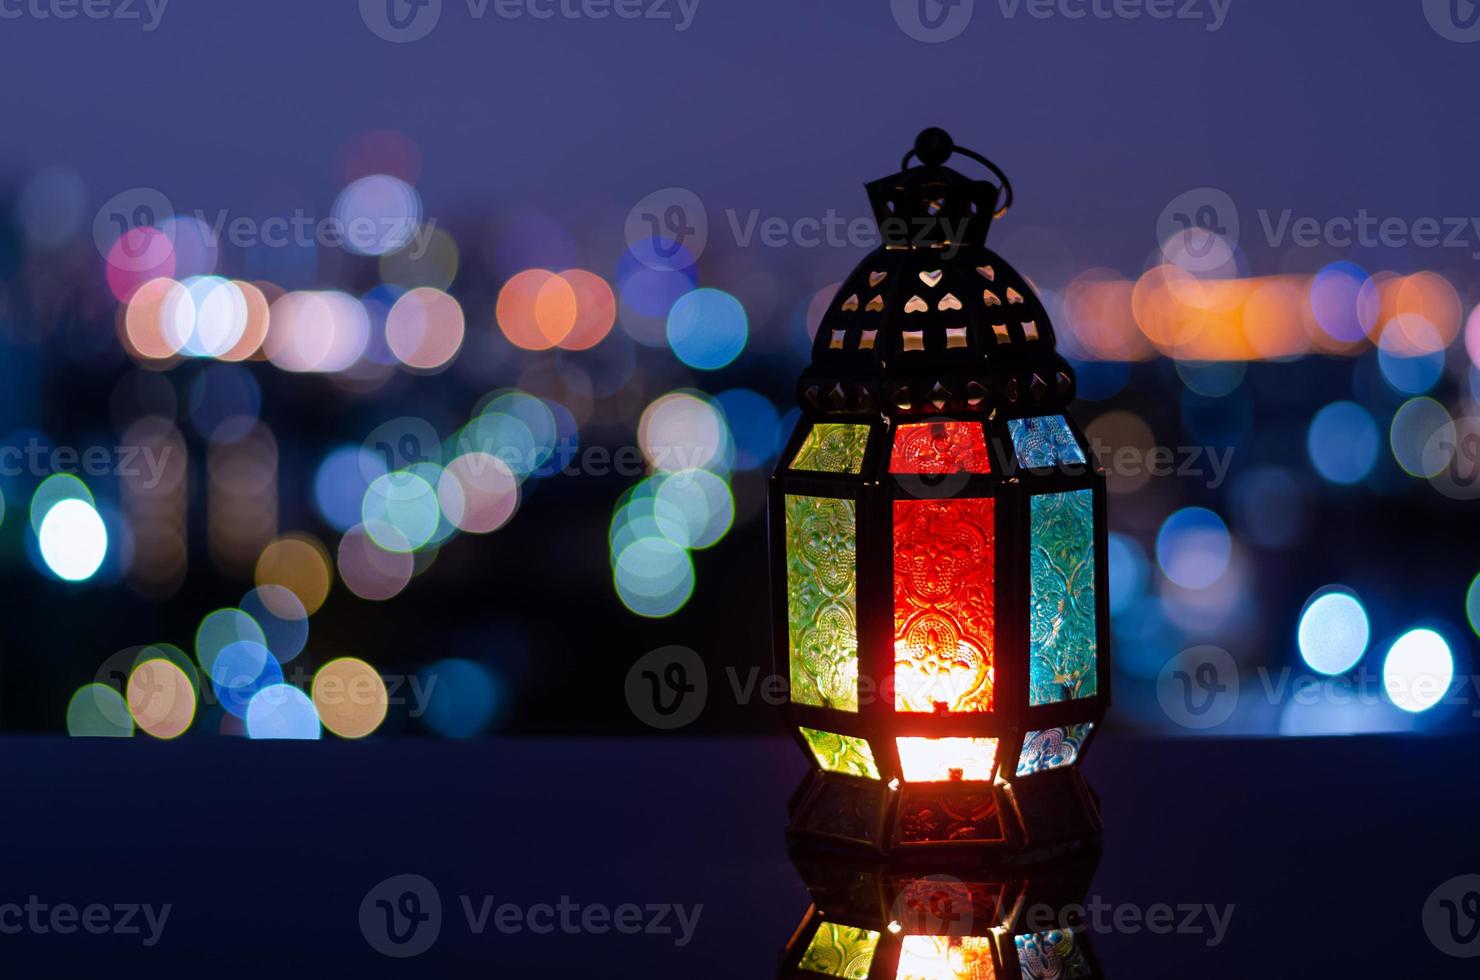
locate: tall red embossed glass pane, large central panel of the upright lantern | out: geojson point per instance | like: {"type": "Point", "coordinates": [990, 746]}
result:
{"type": "Point", "coordinates": [943, 605]}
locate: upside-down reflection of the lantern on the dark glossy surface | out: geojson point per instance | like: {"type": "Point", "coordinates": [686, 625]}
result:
{"type": "Point", "coordinates": [875, 922]}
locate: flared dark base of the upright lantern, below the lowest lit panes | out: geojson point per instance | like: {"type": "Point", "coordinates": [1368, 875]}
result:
{"type": "Point", "coordinates": [1026, 821]}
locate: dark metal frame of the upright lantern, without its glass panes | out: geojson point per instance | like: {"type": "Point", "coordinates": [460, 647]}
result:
{"type": "Point", "coordinates": [978, 374]}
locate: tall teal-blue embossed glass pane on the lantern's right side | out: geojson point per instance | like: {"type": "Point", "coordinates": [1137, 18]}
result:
{"type": "Point", "coordinates": [1062, 640]}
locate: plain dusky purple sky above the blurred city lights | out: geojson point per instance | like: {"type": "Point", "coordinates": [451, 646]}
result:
{"type": "Point", "coordinates": [1321, 106]}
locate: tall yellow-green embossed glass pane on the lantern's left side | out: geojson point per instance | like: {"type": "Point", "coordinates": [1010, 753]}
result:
{"type": "Point", "coordinates": [822, 602]}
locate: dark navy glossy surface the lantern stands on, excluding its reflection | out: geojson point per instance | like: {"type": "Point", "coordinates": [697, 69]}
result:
{"type": "Point", "coordinates": [270, 858]}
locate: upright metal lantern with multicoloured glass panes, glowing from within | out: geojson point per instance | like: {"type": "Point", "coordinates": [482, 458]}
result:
{"type": "Point", "coordinates": [939, 544]}
